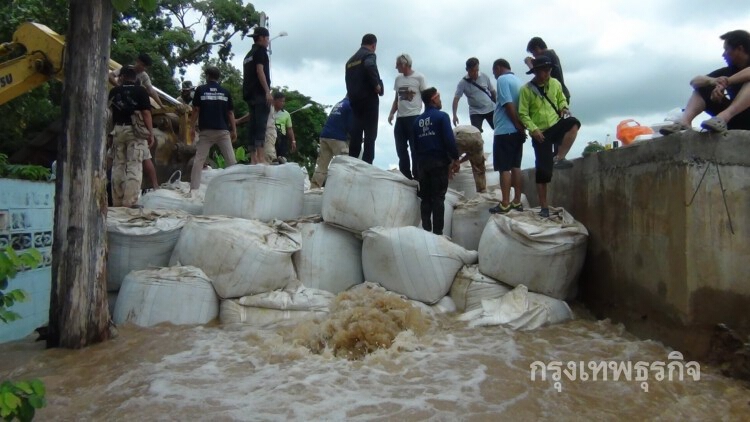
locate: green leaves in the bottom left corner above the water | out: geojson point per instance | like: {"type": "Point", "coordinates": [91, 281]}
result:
{"type": "Point", "coordinates": [20, 399]}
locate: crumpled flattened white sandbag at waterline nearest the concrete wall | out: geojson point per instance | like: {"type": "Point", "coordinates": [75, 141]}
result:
{"type": "Point", "coordinates": [519, 310]}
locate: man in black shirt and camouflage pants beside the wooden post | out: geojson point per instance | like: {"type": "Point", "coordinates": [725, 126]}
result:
{"type": "Point", "coordinates": [128, 150]}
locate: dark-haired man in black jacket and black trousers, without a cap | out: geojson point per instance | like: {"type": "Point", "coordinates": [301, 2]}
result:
{"type": "Point", "coordinates": [363, 87]}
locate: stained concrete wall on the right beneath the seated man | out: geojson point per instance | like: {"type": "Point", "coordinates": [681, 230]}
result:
{"type": "Point", "coordinates": [669, 250]}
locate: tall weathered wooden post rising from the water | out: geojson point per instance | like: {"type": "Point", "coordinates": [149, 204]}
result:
{"type": "Point", "coordinates": [78, 310]}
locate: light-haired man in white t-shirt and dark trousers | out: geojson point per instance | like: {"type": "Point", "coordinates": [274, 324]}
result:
{"type": "Point", "coordinates": [408, 86]}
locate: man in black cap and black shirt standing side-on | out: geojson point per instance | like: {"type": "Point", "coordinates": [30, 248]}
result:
{"type": "Point", "coordinates": [256, 92]}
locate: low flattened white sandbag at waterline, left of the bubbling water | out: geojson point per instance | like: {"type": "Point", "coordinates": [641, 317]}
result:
{"type": "Point", "coordinates": [232, 312]}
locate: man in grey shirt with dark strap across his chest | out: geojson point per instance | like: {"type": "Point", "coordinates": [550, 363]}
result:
{"type": "Point", "coordinates": [479, 91]}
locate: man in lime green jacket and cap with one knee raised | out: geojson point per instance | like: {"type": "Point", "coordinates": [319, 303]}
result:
{"type": "Point", "coordinates": [544, 112]}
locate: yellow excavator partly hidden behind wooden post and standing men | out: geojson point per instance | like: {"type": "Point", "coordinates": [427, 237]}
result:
{"type": "Point", "coordinates": [36, 55]}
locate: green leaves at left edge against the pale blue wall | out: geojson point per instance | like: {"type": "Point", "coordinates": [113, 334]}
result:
{"type": "Point", "coordinates": [10, 263]}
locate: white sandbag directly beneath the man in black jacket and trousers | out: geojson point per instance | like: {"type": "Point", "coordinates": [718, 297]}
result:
{"type": "Point", "coordinates": [359, 196]}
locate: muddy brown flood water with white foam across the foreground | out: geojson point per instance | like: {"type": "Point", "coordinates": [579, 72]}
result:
{"type": "Point", "coordinates": [450, 372]}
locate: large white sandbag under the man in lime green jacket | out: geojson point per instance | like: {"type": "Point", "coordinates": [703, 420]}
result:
{"type": "Point", "coordinates": [547, 254]}
